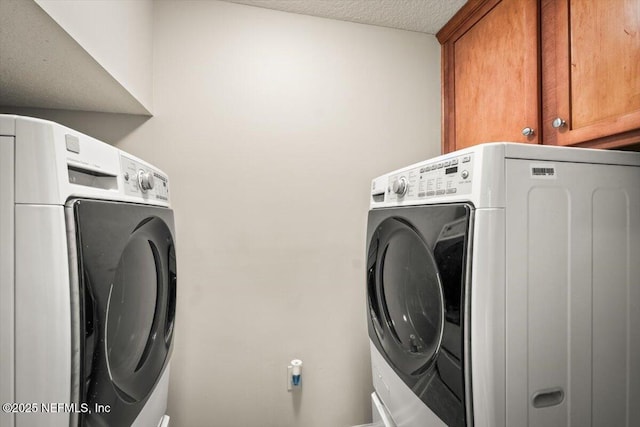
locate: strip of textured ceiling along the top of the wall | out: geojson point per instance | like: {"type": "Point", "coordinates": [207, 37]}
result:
{"type": "Point", "coordinates": [426, 16]}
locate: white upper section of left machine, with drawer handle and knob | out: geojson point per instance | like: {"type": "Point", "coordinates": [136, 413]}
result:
{"type": "Point", "coordinates": [54, 164]}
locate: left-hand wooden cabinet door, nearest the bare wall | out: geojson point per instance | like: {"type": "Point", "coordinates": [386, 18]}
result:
{"type": "Point", "coordinates": [490, 71]}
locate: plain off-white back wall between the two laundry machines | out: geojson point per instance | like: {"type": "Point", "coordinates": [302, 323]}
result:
{"type": "Point", "coordinates": [271, 126]}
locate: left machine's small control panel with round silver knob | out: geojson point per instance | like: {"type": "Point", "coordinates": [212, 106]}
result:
{"type": "Point", "coordinates": [141, 180]}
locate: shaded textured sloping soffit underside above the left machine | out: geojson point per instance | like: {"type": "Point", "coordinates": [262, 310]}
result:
{"type": "Point", "coordinates": [41, 66]}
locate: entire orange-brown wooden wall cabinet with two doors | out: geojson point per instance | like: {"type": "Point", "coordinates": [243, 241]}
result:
{"type": "Point", "coordinates": [557, 72]}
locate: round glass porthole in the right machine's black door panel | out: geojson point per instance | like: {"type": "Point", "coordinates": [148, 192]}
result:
{"type": "Point", "coordinates": [409, 293]}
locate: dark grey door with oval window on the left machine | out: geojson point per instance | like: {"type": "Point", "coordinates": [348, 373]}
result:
{"type": "Point", "coordinates": [127, 275]}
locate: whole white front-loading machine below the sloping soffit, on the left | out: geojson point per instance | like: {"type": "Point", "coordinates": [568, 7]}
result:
{"type": "Point", "coordinates": [87, 281]}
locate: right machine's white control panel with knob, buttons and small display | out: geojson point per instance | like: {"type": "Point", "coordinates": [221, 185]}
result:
{"type": "Point", "coordinates": [440, 177]}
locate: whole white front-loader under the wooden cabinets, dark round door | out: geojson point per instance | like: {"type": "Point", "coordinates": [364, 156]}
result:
{"type": "Point", "coordinates": [503, 288]}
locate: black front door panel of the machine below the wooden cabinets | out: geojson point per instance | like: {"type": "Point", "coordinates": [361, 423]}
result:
{"type": "Point", "coordinates": [416, 293]}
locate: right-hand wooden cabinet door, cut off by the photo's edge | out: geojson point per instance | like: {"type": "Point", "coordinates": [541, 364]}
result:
{"type": "Point", "coordinates": [591, 72]}
